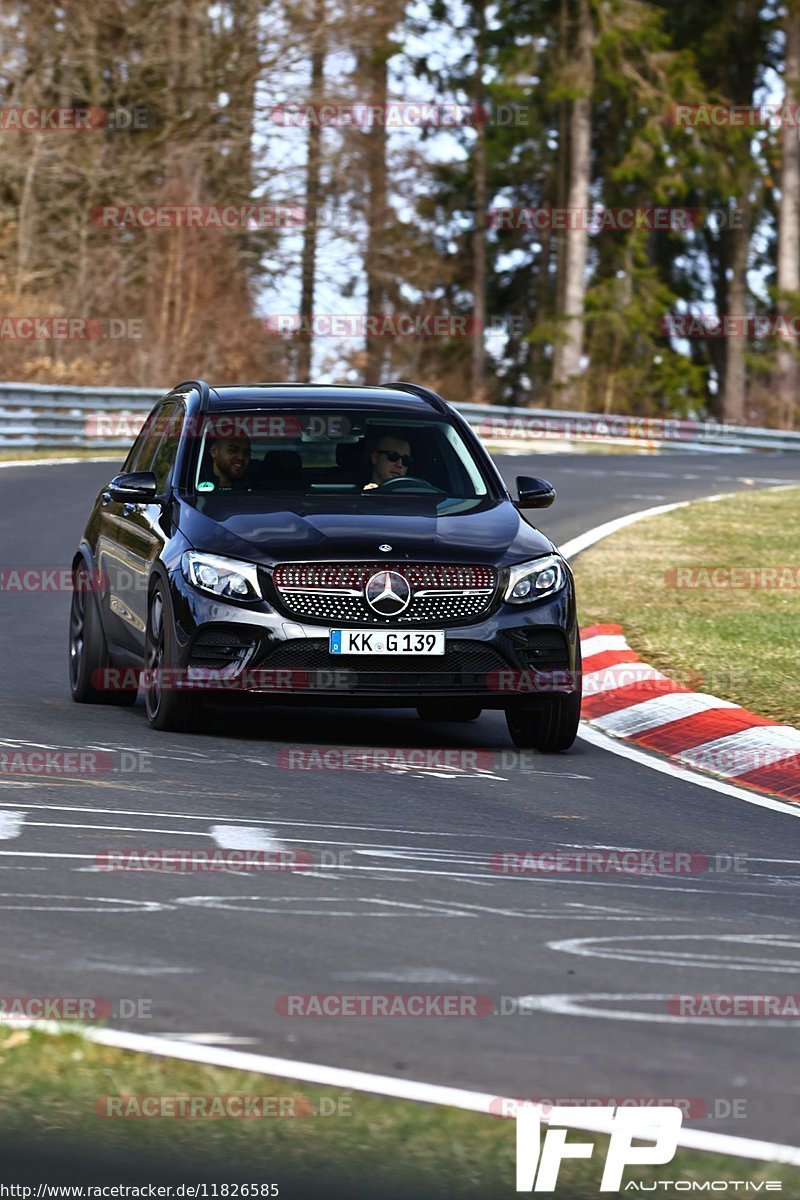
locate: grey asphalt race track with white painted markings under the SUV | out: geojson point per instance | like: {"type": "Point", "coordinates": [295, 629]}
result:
{"type": "Point", "coordinates": [413, 905]}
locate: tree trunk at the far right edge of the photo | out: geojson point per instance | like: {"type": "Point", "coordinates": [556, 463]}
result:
{"type": "Point", "coordinates": [789, 239]}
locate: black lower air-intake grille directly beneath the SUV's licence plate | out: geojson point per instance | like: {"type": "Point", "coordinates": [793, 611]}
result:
{"type": "Point", "coordinates": [464, 667]}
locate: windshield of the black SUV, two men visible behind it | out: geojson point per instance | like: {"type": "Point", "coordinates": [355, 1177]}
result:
{"type": "Point", "coordinates": [363, 458]}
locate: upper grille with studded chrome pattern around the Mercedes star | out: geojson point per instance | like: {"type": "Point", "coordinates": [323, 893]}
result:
{"type": "Point", "coordinates": [336, 593]}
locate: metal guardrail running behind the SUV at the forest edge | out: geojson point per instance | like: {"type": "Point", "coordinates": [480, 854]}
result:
{"type": "Point", "coordinates": [45, 417]}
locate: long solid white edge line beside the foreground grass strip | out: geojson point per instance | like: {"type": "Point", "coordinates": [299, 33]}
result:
{"type": "Point", "coordinates": [400, 1089]}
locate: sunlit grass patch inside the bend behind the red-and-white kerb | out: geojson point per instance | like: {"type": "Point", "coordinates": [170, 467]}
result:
{"type": "Point", "coordinates": [657, 579]}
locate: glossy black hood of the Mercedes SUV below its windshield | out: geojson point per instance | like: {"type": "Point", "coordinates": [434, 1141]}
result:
{"type": "Point", "coordinates": [494, 535]}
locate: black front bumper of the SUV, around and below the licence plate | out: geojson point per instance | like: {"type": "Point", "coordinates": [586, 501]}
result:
{"type": "Point", "coordinates": [515, 656]}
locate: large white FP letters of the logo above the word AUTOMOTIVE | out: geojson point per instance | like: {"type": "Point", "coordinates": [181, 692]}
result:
{"type": "Point", "coordinates": [538, 1166]}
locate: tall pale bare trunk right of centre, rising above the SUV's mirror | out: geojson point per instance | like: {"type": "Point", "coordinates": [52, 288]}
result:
{"type": "Point", "coordinates": [569, 350]}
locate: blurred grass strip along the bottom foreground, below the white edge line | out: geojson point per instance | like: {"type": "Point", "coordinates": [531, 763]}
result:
{"type": "Point", "coordinates": [52, 1088]}
